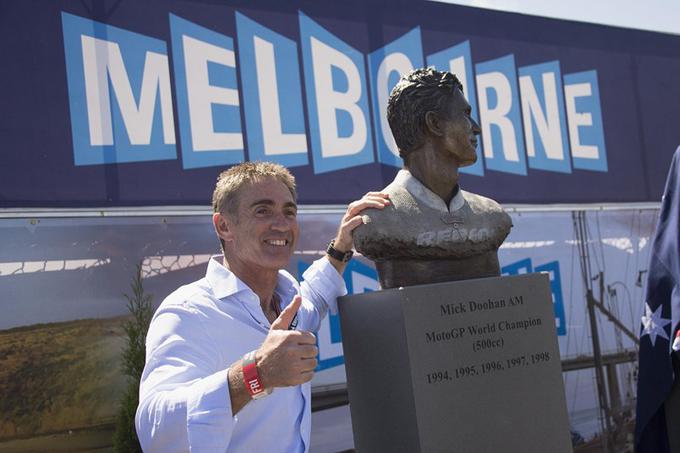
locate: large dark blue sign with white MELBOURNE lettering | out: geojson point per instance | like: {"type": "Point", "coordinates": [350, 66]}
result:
{"type": "Point", "coordinates": [152, 110]}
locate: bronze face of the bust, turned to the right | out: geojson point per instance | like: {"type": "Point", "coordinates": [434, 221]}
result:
{"type": "Point", "coordinates": [460, 131]}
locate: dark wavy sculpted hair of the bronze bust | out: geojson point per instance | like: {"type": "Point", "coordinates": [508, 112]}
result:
{"type": "Point", "coordinates": [418, 92]}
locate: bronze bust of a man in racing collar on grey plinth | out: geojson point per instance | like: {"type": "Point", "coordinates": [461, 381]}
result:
{"type": "Point", "coordinates": [432, 231]}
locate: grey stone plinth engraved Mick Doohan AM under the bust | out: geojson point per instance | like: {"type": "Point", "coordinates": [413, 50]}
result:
{"type": "Point", "coordinates": [469, 366]}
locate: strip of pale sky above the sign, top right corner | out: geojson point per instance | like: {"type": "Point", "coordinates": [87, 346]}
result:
{"type": "Point", "coordinates": [654, 15]}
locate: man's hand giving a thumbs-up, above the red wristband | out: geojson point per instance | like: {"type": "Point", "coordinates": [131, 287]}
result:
{"type": "Point", "coordinates": [287, 357]}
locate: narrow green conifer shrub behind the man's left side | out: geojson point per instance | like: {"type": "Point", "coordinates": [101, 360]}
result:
{"type": "Point", "coordinates": [139, 305]}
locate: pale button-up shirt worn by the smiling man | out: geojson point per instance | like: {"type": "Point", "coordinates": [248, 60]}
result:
{"type": "Point", "coordinates": [195, 335]}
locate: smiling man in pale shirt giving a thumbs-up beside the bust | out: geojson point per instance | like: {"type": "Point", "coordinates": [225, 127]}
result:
{"type": "Point", "coordinates": [230, 357]}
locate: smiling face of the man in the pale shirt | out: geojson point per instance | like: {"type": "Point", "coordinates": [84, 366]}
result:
{"type": "Point", "coordinates": [263, 234]}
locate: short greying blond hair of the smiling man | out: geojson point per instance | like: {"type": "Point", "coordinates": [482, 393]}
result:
{"type": "Point", "coordinates": [229, 183]}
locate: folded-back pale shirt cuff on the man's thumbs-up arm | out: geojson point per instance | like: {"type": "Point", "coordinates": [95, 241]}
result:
{"type": "Point", "coordinates": [209, 419]}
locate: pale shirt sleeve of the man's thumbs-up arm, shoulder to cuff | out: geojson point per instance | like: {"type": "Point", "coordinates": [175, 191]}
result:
{"type": "Point", "coordinates": [184, 392]}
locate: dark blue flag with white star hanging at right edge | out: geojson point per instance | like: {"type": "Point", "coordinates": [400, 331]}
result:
{"type": "Point", "coordinates": [660, 322]}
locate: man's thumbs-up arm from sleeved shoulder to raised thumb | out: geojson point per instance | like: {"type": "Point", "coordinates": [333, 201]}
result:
{"type": "Point", "coordinates": [187, 399]}
